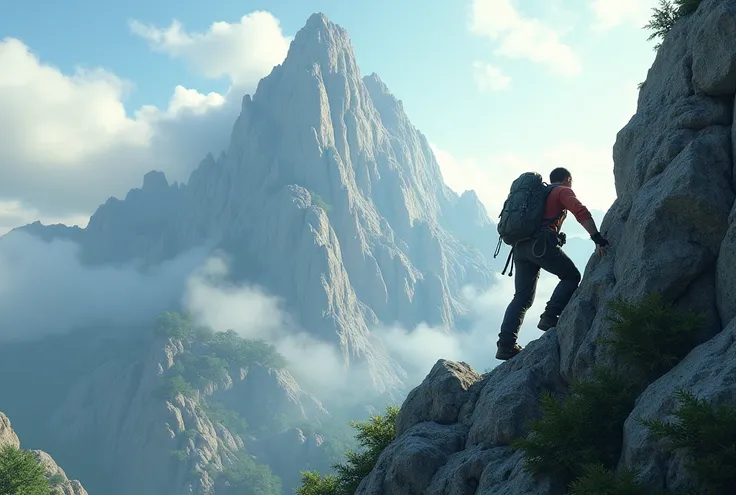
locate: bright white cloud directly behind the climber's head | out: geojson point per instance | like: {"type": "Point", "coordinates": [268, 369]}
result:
{"type": "Point", "coordinates": [592, 170]}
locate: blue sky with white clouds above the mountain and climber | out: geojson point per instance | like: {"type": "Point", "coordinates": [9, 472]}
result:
{"type": "Point", "coordinates": [497, 87]}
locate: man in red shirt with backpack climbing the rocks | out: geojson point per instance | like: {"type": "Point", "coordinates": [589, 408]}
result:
{"type": "Point", "coordinates": [541, 250]}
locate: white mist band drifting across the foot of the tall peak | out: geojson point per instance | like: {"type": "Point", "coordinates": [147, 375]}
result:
{"type": "Point", "coordinates": [254, 313]}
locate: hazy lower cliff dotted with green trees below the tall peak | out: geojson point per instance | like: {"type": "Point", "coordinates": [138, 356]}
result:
{"type": "Point", "coordinates": [183, 412]}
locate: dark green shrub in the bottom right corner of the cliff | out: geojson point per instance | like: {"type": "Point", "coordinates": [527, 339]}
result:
{"type": "Point", "coordinates": [708, 435]}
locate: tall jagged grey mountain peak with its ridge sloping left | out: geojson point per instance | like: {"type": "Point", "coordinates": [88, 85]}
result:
{"type": "Point", "coordinates": [397, 245]}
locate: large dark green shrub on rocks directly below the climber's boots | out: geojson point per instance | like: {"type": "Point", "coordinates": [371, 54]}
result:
{"type": "Point", "coordinates": [584, 426]}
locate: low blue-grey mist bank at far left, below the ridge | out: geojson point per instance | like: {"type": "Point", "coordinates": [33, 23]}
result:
{"type": "Point", "coordinates": [45, 290]}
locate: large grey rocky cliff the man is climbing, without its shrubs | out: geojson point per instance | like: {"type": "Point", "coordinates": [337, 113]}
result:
{"type": "Point", "coordinates": [673, 231]}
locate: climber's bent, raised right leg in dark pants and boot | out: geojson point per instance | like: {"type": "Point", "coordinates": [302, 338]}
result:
{"type": "Point", "coordinates": [556, 262]}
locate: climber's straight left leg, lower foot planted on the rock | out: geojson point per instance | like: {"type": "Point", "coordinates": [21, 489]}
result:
{"type": "Point", "coordinates": [525, 283]}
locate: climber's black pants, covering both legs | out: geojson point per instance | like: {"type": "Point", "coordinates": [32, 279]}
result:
{"type": "Point", "coordinates": [529, 257]}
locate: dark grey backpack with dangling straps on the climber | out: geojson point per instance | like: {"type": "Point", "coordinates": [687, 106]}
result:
{"type": "Point", "coordinates": [522, 215]}
